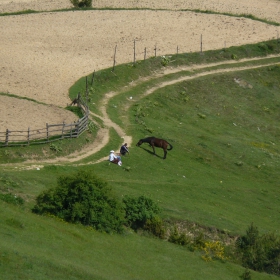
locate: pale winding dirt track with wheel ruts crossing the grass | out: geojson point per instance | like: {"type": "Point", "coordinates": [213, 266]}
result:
{"type": "Point", "coordinates": [102, 137]}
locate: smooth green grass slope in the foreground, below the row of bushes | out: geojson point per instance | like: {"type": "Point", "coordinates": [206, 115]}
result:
{"type": "Point", "coordinates": [34, 247]}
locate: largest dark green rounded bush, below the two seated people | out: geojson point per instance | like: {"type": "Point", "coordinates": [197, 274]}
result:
{"type": "Point", "coordinates": [82, 198]}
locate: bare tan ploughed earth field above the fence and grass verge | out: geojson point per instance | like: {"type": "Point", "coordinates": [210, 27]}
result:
{"type": "Point", "coordinates": [42, 55]}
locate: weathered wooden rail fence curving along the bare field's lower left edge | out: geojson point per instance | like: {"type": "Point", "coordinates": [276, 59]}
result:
{"type": "Point", "coordinates": [52, 132]}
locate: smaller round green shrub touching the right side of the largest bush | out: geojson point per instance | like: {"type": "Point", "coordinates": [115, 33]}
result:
{"type": "Point", "coordinates": [139, 210]}
